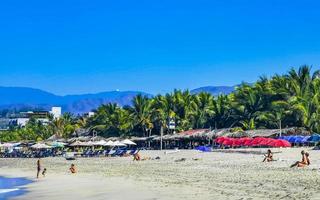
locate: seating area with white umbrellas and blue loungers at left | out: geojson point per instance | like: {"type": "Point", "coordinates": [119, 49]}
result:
{"type": "Point", "coordinates": [100, 148]}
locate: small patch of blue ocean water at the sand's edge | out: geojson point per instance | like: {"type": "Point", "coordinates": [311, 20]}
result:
{"type": "Point", "coordinates": [11, 187]}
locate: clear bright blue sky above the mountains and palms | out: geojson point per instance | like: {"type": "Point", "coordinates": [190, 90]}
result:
{"type": "Point", "coordinates": [71, 47]}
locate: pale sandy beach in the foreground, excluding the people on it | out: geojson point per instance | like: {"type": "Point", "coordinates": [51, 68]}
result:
{"type": "Point", "coordinates": [227, 174]}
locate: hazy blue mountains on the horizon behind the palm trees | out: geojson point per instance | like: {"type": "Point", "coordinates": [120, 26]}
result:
{"type": "Point", "coordinates": [29, 98]}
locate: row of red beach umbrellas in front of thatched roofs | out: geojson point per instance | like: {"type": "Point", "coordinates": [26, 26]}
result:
{"type": "Point", "coordinates": [252, 142]}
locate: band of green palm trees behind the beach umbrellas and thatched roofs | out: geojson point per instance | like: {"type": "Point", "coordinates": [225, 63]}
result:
{"type": "Point", "coordinates": [281, 101]}
